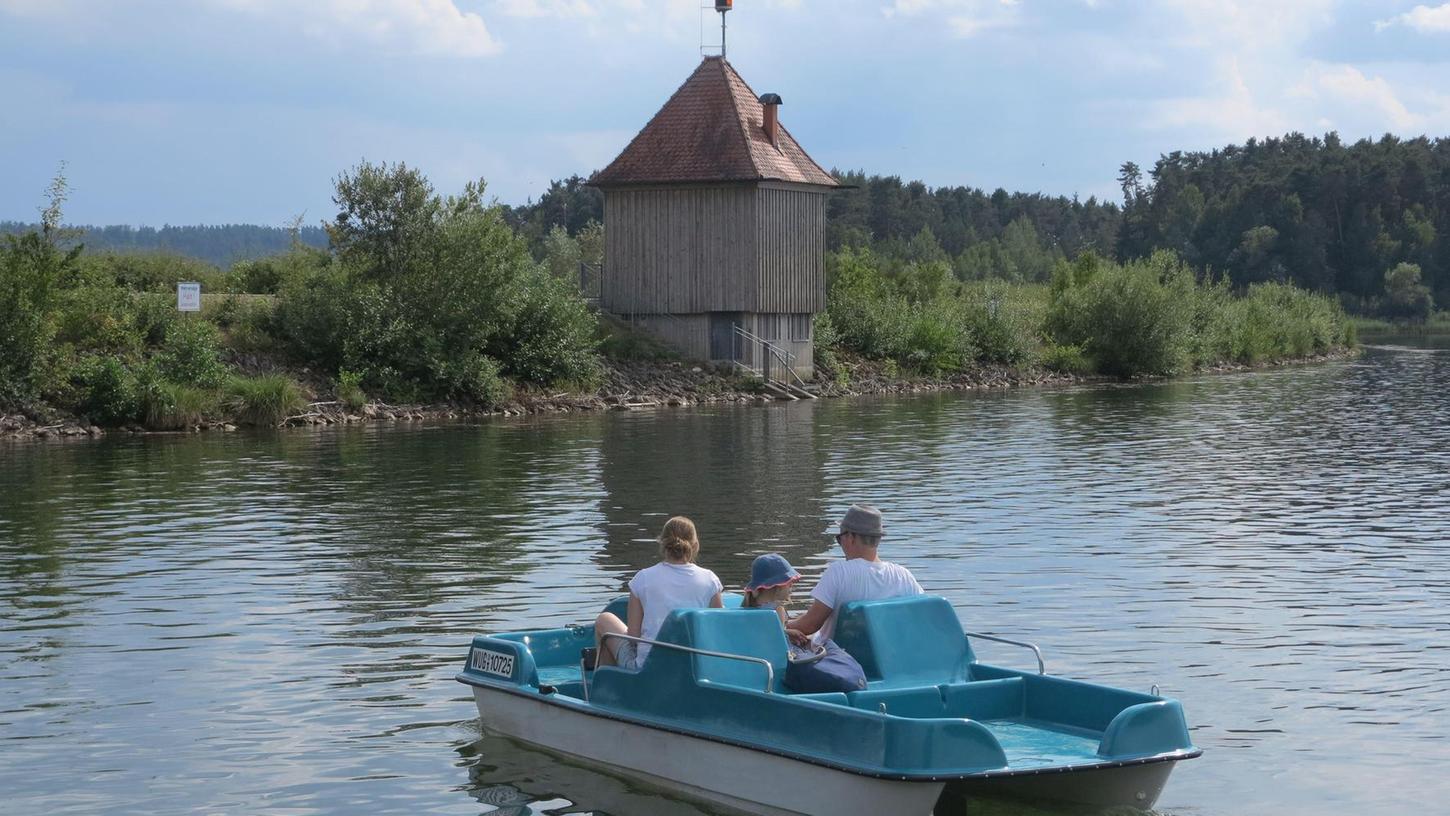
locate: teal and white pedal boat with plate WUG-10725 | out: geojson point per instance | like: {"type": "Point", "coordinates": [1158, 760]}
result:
{"type": "Point", "coordinates": [708, 715]}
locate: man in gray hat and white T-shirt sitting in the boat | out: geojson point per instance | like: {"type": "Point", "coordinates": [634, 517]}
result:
{"type": "Point", "coordinates": [861, 578]}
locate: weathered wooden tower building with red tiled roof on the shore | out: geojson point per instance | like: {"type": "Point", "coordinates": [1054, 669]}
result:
{"type": "Point", "coordinates": [716, 228]}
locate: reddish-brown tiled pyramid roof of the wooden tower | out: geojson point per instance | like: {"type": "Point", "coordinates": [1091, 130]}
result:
{"type": "Point", "coordinates": [713, 130]}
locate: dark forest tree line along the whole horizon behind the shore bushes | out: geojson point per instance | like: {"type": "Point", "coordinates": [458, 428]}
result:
{"type": "Point", "coordinates": [1368, 222]}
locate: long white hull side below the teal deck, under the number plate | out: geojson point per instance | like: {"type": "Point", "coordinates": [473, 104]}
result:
{"type": "Point", "coordinates": [742, 779]}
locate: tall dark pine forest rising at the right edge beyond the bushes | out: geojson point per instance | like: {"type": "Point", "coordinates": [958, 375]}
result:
{"type": "Point", "coordinates": [1370, 222]}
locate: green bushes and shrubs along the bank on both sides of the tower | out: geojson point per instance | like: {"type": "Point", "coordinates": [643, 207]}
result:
{"type": "Point", "coordinates": [428, 298]}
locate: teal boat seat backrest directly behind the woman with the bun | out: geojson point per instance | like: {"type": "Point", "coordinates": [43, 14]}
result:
{"type": "Point", "coordinates": [750, 633]}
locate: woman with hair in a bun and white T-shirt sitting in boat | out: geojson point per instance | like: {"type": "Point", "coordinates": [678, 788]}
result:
{"type": "Point", "coordinates": [675, 583]}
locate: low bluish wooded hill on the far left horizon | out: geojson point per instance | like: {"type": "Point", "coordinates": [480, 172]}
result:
{"type": "Point", "coordinates": [220, 244]}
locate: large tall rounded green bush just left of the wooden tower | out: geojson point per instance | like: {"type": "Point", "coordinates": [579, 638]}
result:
{"type": "Point", "coordinates": [431, 296]}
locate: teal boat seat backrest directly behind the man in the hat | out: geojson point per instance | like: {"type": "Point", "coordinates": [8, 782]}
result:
{"type": "Point", "coordinates": [906, 641]}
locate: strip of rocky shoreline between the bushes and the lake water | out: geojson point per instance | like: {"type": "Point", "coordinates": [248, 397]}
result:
{"type": "Point", "coordinates": [633, 386]}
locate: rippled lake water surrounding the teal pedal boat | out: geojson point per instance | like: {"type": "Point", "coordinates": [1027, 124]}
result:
{"type": "Point", "coordinates": [270, 624]}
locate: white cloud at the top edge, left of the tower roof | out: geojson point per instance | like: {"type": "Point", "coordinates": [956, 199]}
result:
{"type": "Point", "coordinates": [426, 28]}
